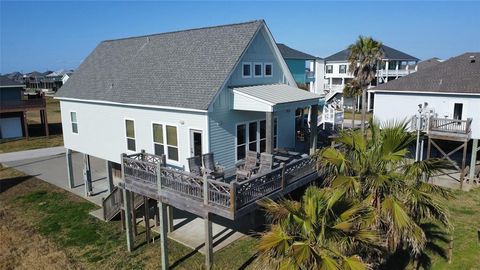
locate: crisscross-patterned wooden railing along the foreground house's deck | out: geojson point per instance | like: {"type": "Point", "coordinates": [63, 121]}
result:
{"type": "Point", "coordinates": [142, 176]}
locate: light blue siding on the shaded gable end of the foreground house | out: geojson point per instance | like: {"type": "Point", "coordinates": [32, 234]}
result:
{"type": "Point", "coordinates": [223, 119]}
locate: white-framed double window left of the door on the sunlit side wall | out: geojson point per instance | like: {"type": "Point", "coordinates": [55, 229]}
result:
{"type": "Point", "coordinates": [169, 132]}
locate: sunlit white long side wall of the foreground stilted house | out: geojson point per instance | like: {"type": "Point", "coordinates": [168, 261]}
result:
{"type": "Point", "coordinates": [101, 129]}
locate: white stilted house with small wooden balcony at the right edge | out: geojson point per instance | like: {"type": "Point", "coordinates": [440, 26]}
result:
{"type": "Point", "coordinates": [443, 102]}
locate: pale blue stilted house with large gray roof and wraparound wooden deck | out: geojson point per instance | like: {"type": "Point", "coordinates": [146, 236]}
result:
{"type": "Point", "coordinates": [129, 104]}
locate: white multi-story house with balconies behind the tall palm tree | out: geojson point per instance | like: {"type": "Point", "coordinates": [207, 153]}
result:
{"type": "Point", "coordinates": [394, 64]}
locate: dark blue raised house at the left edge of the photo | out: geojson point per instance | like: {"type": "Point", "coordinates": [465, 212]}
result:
{"type": "Point", "coordinates": [13, 109]}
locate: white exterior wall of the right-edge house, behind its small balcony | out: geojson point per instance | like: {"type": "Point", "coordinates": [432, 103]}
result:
{"type": "Point", "coordinates": [399, 106]}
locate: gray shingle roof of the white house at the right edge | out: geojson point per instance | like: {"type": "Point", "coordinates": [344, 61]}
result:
{"type": "Point", "coordinates": [456, 75]}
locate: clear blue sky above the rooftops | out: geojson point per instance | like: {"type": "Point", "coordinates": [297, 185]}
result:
{"type": "Point", "coordinates": [52, 35]}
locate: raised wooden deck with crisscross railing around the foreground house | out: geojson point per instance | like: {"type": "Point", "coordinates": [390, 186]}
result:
{"type": "Point", "coordinates": [146, 175]}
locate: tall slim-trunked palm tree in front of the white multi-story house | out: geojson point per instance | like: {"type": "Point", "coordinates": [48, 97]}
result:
{"type": "Point", "coordinates": [365, 53]}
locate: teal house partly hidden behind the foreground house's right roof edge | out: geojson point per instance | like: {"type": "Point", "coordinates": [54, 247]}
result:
{"type": "Point", "coordinates": [306, 69]}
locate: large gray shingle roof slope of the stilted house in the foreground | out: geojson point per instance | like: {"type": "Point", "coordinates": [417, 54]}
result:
{"type": "Point", "coordinates": [183, 69]}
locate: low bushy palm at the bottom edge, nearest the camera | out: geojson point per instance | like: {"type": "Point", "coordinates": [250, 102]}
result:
{"type": "Point", "coordinates": [326, 230]}
